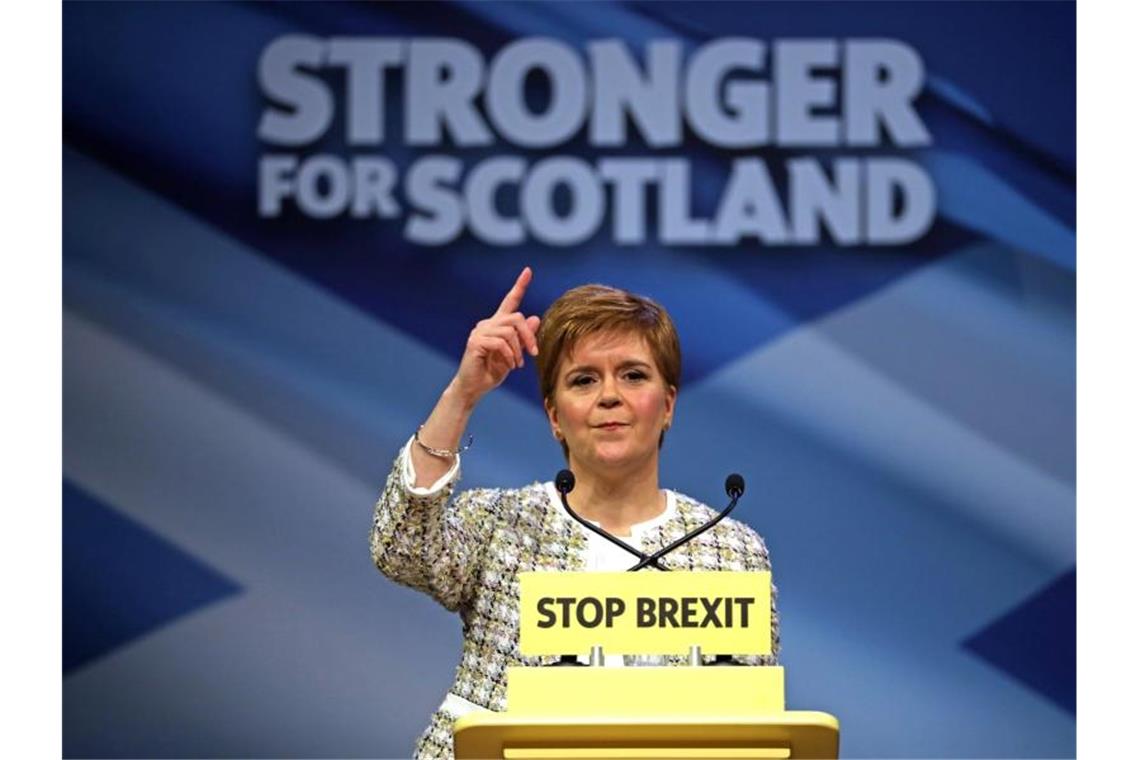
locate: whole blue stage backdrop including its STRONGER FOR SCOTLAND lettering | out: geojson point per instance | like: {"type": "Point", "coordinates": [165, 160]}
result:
{"type": "Point", "coordinates": [282, 222]}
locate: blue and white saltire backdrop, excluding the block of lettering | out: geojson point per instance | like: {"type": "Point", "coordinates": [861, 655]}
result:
{"type": "Point", "coordinates": [235, 390]}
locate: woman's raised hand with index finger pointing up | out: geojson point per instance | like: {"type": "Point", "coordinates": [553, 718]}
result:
{"type": "Point", "coordinates": [498, 345]}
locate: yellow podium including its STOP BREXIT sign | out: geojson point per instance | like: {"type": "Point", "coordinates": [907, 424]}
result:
{"type": "Point", "coordinates": [671, 712]}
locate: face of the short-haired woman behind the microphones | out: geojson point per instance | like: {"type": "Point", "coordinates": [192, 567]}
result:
{"type": "Point", "coordinates": [610, 403]}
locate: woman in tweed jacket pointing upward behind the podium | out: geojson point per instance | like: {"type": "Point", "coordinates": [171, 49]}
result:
{"type": "Point", "coordinates": [609, 366]}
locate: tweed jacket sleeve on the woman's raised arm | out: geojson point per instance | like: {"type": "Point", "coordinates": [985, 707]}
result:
{"type": "Point", "coordinates": [426, 540]}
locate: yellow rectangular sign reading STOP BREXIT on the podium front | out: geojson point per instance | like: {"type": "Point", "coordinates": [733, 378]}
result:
{"type": "Point", "coordinates": [646, 612]}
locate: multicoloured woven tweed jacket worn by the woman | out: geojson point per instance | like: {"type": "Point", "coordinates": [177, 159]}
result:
{"type": "Point", "coordinates": [468, 551]}
